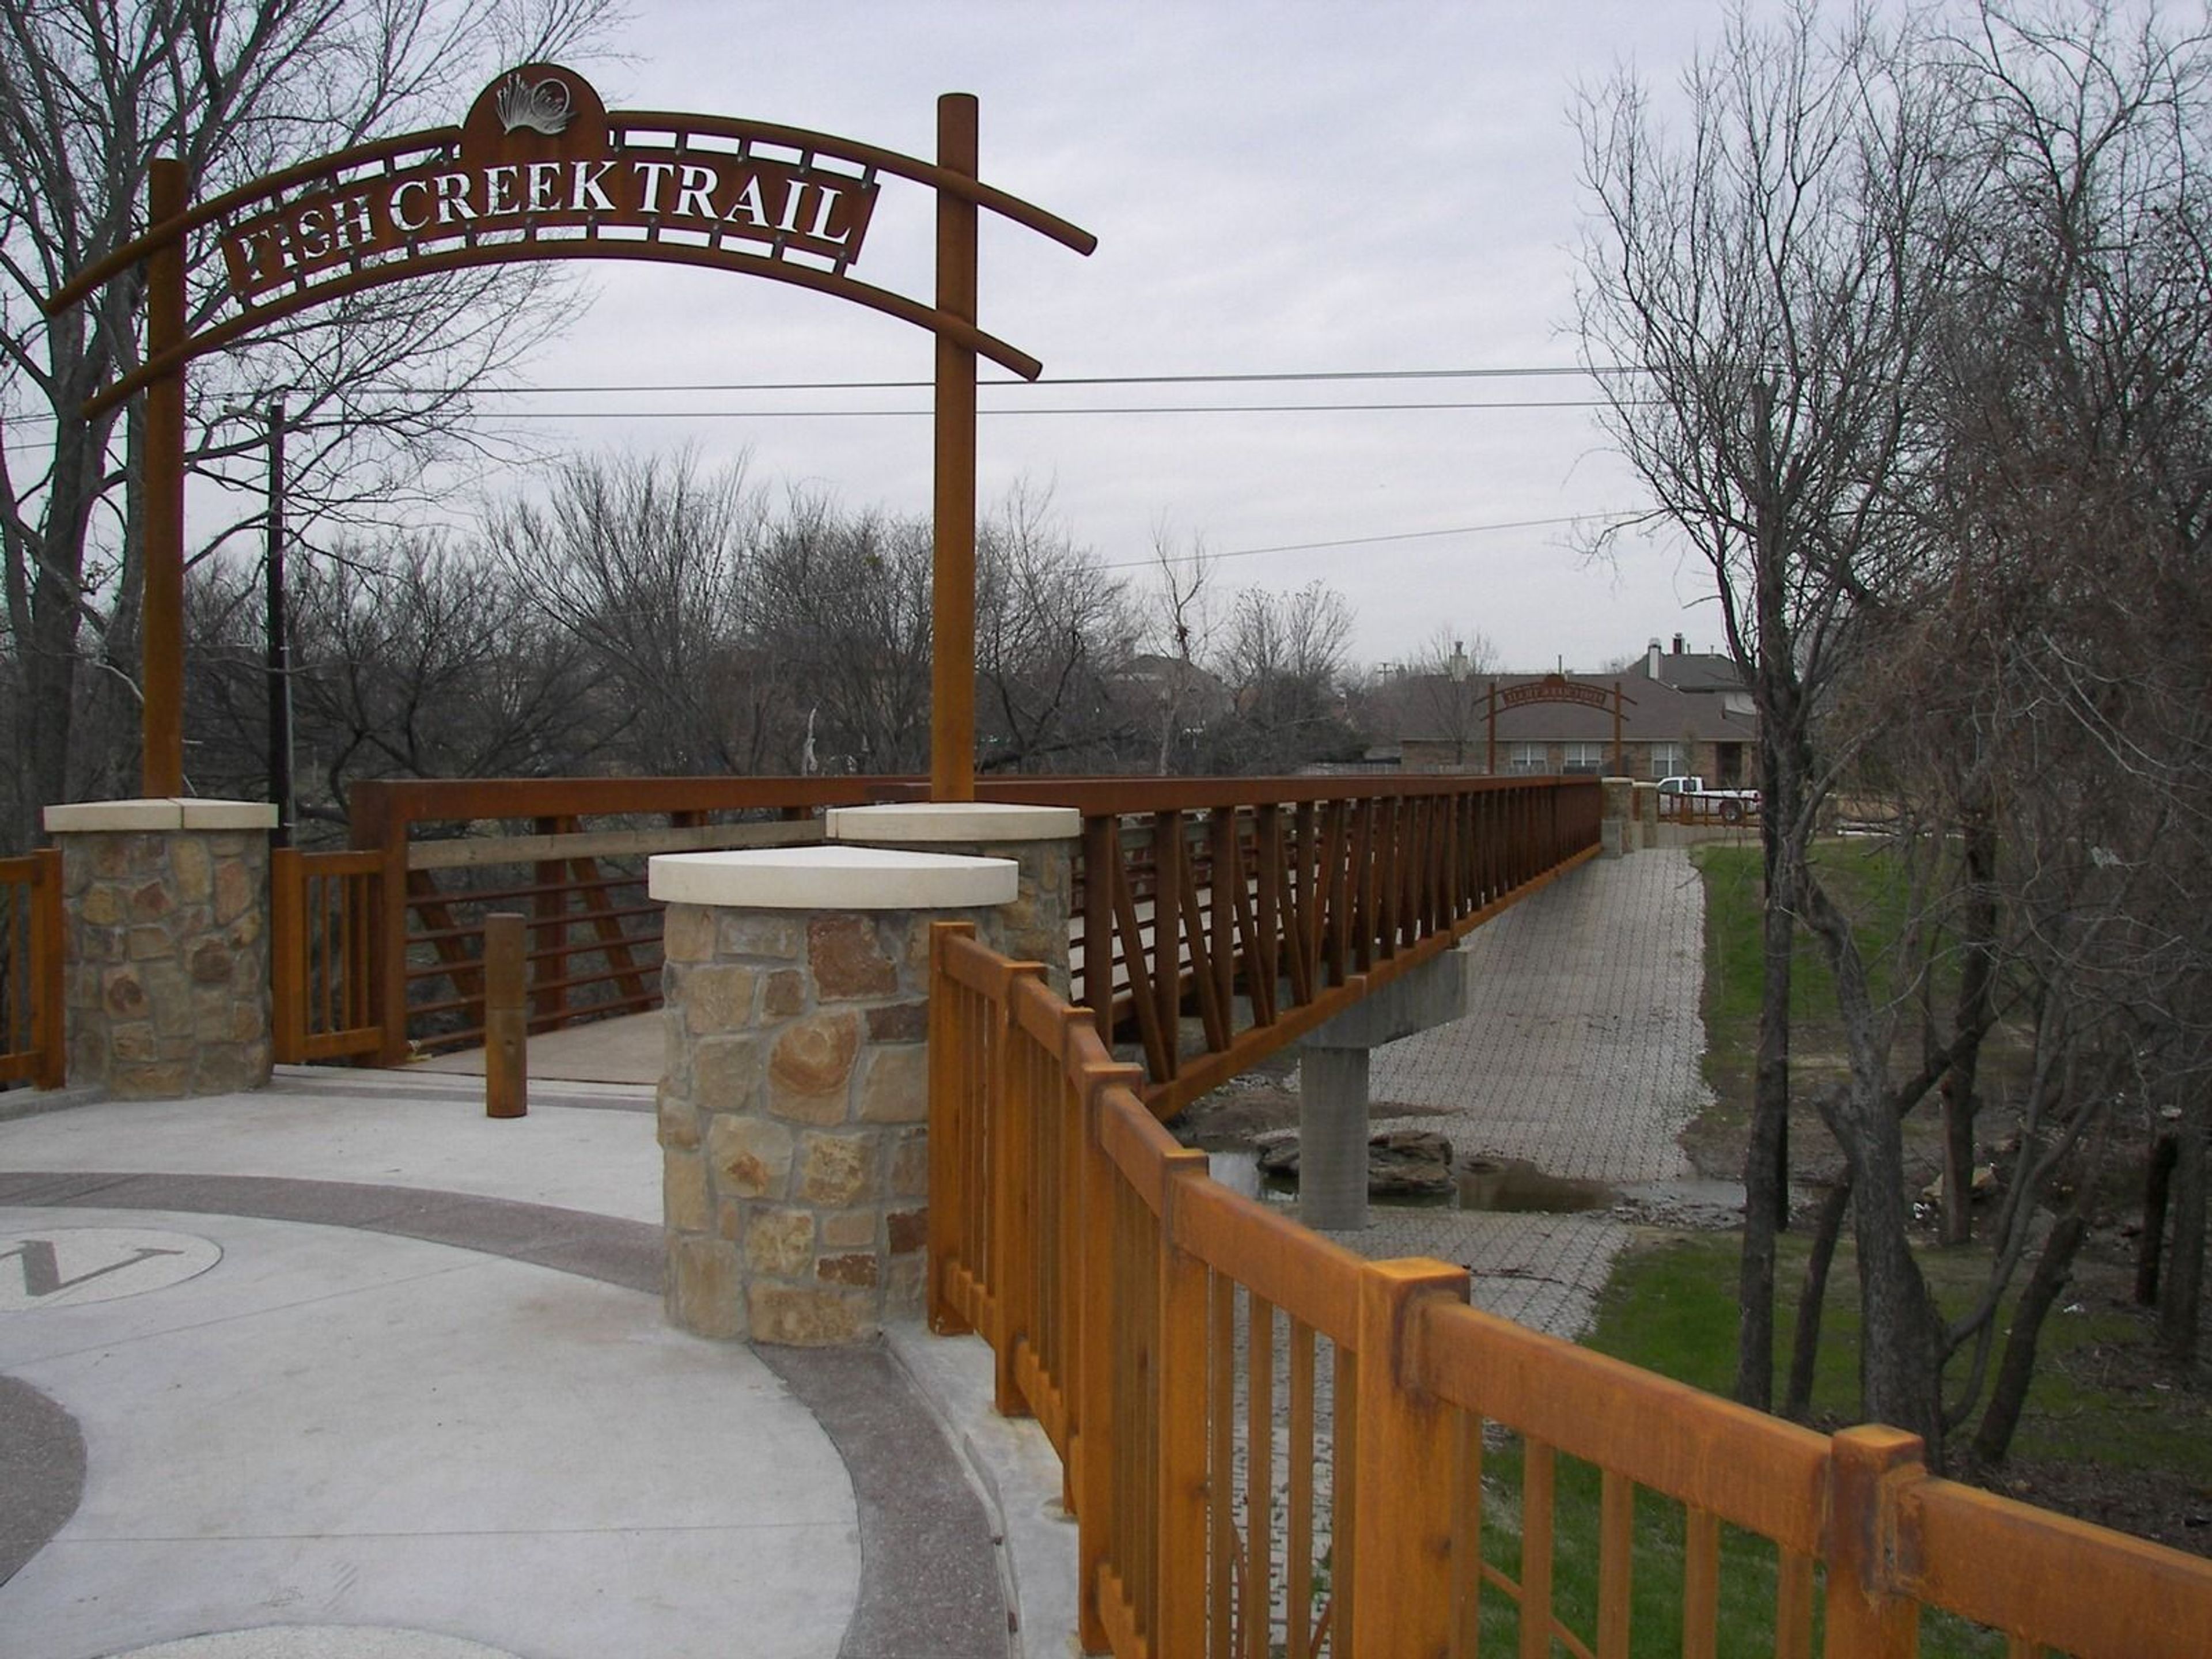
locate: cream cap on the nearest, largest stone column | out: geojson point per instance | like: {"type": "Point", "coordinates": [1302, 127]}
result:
{"type": "Point", "coordinates": [831, 879]}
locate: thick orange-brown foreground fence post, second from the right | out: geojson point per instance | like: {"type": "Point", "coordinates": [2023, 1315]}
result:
{"type": "Point", "coordinates": [1401, 1510]}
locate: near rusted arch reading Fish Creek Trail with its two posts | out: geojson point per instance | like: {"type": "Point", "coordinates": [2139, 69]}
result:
{"type": "Point", "coordinates": [541, 169]}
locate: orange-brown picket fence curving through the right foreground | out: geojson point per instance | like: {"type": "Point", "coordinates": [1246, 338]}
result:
{"type": "Point", "coordinates": [1277, 1448]}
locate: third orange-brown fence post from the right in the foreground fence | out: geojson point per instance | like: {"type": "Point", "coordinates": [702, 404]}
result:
{"type": "Point", "coordinates": [1178, 1406]}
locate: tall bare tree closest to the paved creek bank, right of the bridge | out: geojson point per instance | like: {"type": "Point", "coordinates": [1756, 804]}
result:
{"type": "Point", "coordinates": [1768, 280]}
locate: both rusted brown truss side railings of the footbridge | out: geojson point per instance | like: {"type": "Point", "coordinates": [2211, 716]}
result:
{"type": "Point", "coordinates": [1258, 906]}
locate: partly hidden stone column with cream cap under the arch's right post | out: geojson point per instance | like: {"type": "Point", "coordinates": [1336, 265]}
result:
{"type": "Point", "coordinates": [1041, 842]}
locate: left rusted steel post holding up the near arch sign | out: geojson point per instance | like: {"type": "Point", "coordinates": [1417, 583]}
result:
{"type": "Point", "coordinates": [163, 554]}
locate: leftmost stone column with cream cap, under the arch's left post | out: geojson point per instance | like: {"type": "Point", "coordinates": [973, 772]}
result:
{"type": "Point", "coordinates": [167, 961]}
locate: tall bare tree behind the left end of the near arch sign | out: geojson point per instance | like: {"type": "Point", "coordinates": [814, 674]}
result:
{"type": "Point", "coordinates": [92, 92]}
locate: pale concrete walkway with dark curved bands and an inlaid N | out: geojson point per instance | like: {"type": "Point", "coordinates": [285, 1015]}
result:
{"type": "Point", "coordinates": [344, 1357]}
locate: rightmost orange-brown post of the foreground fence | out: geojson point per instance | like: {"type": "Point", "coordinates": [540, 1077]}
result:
{"type": "Point", "coordinates": [1868, 1472]}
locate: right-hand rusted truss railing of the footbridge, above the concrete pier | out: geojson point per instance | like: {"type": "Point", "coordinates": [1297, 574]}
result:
{"type": "Point", "coordinates": [1266, 906]}
